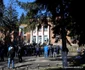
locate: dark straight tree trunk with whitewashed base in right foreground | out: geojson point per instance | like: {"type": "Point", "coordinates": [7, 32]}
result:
{"type": "Point", "coordinates": [64, 48]}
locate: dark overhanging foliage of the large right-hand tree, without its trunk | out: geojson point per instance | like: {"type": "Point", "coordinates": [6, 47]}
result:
{"type": "Point", "coordinates": [65, 9]}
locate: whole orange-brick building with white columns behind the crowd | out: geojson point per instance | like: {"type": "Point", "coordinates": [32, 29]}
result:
{"type": "Point", "coordinates": [42, 33]}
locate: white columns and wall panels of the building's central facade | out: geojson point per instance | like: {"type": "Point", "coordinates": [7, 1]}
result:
{"type": "Point", "coordinates": [39, 33]}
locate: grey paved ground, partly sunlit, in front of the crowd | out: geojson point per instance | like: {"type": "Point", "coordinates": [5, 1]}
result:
{"type": "Point", "coordinates": [34, 63]}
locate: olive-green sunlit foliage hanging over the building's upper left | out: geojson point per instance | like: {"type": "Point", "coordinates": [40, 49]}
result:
{"type": "Point", "coordinates": [29, 19]}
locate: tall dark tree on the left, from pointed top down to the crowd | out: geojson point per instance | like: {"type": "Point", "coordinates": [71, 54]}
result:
{"type": "Point", "coordinates": [10, 22]}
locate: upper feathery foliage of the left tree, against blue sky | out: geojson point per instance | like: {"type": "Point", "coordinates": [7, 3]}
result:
{"type": "Point", "coordinates": [10, 18]}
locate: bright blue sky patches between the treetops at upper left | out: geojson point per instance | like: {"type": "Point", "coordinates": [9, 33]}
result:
{"type": "Point", "coordinates": [19, 10]}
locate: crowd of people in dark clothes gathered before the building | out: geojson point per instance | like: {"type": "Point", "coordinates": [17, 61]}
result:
{"type": "Point", "coordinates": [19, 50]}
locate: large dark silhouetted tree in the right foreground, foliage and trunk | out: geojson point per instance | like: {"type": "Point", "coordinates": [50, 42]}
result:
{"type": "Point", "coordinates": [64, 17]}
